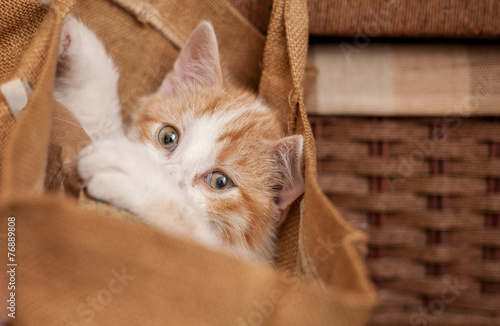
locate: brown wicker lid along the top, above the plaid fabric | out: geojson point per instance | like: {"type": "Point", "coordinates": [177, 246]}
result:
{"type": "Point", "coordinates": [437, 18]}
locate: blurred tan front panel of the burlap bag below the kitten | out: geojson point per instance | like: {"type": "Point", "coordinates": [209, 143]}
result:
{"type": "Point", "coordinates": [166, 280]}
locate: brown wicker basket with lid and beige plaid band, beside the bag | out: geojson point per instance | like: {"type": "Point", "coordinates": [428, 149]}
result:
{"type": "Point", "coordinates": [404, 100]}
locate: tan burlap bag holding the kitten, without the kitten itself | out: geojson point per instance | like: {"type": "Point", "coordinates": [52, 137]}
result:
{"type": "Point", "coordinates": [79, 262]}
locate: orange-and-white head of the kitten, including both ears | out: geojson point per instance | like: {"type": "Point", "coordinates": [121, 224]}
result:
{"type": "Point", "coordinates": [223, 146]}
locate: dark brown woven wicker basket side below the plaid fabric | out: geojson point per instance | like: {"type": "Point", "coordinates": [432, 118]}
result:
{"type": "Point", "coordinates": [427, 190]}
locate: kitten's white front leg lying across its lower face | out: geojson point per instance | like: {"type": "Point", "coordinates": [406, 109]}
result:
{"type": "Point", "coordinates": [123, 173]}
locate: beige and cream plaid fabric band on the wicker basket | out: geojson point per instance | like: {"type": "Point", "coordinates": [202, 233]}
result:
{"type": "Point", "coordinates": [406, 79]}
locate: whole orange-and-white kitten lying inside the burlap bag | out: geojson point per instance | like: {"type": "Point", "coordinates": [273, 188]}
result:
{"type": "Point", "coordinates": [201, 159]}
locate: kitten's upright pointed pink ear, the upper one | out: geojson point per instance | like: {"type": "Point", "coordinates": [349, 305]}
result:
{"type": "Point", "coordinates": [198, 64]}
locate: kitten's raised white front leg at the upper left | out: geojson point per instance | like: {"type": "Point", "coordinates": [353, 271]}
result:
{"type": "Point", "coordinates": [87, 80]}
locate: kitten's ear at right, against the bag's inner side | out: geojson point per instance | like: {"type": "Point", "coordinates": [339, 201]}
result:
{"type": "Point", "coordinates": [287, 153]}
